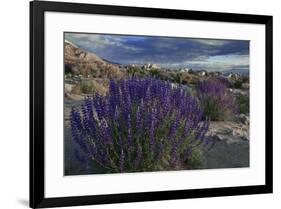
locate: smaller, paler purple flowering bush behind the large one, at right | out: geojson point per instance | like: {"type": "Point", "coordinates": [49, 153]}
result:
{"type": "Point", "coordinates": [215, 99]}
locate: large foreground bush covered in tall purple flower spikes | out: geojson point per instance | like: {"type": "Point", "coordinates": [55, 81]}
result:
{"type": "Point", "coordinates": [140, 125]}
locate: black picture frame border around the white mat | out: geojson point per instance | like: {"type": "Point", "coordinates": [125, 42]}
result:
{"type": "Point", "coordinates": [37, 195]}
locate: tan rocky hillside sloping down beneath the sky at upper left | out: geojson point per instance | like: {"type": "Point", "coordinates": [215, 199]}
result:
{"type": "Point", "coordinates": [80, 62]}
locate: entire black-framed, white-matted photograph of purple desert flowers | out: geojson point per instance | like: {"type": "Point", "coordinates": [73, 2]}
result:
{"type": "Point", "coordinates": [133, 104]}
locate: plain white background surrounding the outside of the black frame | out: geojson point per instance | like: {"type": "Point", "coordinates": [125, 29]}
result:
{"type": "Point", "coordinates": [14, 105]}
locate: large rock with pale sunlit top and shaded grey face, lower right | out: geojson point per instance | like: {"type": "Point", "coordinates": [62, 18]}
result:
{"type": "Point", "coordinates": [231, 146]}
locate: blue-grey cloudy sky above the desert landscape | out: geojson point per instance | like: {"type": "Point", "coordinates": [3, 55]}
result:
{"type": "Point", "coordinates": [169, 52]}
